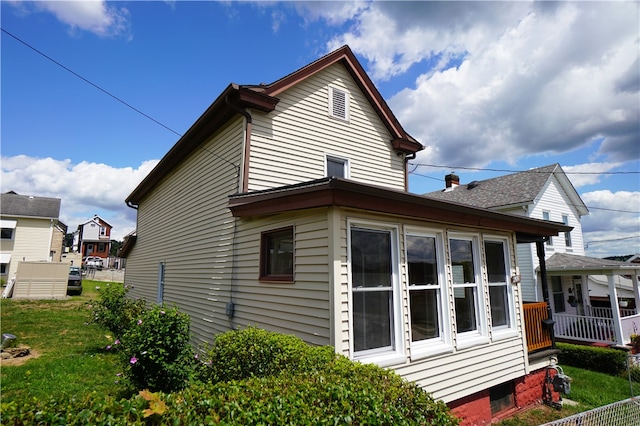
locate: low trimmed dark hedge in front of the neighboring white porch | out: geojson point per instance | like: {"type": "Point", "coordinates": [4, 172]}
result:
{"type": "Point", "coordinates": [604, 360]}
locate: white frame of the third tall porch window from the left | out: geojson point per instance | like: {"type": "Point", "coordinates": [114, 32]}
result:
{"type": "Point", "coordinates": [481, 334]}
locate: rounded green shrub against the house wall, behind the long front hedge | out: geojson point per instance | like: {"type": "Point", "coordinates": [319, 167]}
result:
{"type": "Point", "coordinates": [253, 352]}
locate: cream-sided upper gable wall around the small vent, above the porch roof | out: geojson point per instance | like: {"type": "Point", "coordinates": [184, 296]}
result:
{"type": "Point", "coordinates": [289, 144]}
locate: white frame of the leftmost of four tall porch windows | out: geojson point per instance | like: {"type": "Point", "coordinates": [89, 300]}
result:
{"type": "Point", "coordinates": [396, 353]}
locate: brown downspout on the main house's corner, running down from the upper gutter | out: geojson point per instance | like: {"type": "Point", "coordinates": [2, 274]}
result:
{"type": "Point", "coordinates": [242, 187]}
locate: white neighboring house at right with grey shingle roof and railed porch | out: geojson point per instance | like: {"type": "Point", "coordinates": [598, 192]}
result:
{"type": "Point", "coordinates": [574, 287]}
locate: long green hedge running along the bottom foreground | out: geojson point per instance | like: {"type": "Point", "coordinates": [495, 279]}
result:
{"type": "Point", "coordinates": [343, 393]}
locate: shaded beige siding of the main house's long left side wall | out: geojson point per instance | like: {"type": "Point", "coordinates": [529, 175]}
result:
{"type": "Point", "coordinates": [185, 223]}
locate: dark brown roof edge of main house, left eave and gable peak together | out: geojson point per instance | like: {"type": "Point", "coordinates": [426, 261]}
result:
{"type": "Point", "coordinates": [263, 97]}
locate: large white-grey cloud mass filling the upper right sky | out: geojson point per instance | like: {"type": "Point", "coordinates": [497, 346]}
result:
{"type": "Point", "coordinates": [500, 80]}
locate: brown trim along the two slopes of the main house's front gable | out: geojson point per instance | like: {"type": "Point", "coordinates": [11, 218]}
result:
{"type": "Point", "coordinates": [353, 66]}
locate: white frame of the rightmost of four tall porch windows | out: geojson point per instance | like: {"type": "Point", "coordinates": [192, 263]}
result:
{"type": "Point", "coordinates": [510, 330]}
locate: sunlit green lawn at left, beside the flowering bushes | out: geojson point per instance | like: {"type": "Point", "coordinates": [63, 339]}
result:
{"type": "Point", "coordinates": [70, 356]}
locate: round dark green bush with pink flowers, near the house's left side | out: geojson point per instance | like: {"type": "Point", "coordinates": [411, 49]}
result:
{"type": "Point", "coordinates": [157, 351]}
